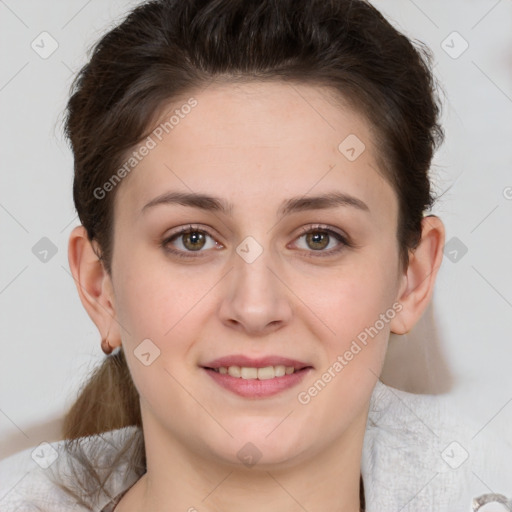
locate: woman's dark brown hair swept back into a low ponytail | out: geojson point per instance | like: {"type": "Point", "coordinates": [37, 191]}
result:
{"type": "Point", "coordinates": [166, 48]}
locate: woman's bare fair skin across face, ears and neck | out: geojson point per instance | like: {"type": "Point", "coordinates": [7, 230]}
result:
{"type": "Point", "coordinates": [254, 145]}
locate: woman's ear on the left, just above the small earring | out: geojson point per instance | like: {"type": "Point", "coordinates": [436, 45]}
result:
{"type": "Point", "coordinates": [94, 285]}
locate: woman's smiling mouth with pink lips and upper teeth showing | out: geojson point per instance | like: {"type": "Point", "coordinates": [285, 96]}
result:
{"type": "Point", "coordinates": [257, 378]}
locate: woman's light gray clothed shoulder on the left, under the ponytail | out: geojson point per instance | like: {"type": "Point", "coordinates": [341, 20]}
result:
{"type": "Point", "coordinates": [35, 479]}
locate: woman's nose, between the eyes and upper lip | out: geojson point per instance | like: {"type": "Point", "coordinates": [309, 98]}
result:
{"type": "Point", "coordinates": [256, 299]}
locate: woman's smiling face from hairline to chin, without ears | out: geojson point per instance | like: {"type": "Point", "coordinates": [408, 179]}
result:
{"type": "Point", "coordinates": [313, 286]}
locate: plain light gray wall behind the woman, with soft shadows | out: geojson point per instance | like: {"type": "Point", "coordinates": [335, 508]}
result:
{"type": "Point", "coordinates": [461, 348]}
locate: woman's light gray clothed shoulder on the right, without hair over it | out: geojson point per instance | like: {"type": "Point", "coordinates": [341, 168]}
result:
{"type": "Point", "coordinates": [419, 453]}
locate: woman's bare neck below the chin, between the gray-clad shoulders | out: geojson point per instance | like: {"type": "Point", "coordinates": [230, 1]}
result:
{"type": "Point", "coordinates": [180, 480]}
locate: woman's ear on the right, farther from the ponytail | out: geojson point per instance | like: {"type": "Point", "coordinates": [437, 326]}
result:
{"type": "Point", "coordinates": [420, 276]}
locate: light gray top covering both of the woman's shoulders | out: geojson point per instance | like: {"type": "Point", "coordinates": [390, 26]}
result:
{"type": "Point", "coordinates": [418, 455]}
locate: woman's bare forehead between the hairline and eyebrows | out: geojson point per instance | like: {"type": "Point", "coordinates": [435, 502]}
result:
{"type": "Point", "coordinates": [255, 144]}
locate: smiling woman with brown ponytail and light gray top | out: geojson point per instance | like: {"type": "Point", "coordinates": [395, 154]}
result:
{"type": "Point", "coordinates": [252, 180]}
